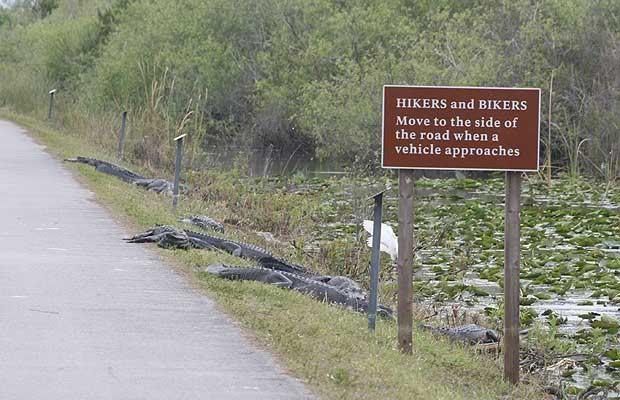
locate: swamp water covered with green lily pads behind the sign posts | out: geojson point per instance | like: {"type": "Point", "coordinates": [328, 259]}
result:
{"type": "Point", "coordinates": [570, 259]}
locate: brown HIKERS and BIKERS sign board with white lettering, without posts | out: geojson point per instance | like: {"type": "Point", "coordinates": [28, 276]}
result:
{"type": "Point", "coordinates": [479, 128]}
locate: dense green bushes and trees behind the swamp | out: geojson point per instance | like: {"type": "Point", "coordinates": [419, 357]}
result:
{"type": "Point", "coordinates": [305, 76]}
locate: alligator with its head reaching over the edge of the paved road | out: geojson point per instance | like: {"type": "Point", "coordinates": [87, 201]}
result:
{"type": "Point", "coordinates": [206, 241]}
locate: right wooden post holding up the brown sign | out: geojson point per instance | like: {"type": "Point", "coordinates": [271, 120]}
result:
{"type": "Point", "coordinates": [511, 276]}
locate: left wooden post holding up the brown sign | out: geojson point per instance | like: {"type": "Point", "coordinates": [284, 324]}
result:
{"type": "Point", "coordinates": [405, 259]}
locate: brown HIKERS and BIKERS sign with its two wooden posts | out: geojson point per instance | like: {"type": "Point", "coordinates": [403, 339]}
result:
{"type": "Point", "coordinates": [461, 128]}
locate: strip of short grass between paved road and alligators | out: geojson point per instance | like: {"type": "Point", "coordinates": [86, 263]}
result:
{"type": "Point", "coordinates": [327, 347]}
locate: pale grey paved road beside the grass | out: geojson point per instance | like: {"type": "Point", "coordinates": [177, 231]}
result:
{"type": "Point", "coordinates": [85, 316]}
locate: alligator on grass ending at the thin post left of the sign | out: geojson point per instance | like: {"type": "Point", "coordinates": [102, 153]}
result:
{"type": "Point", "coordinates": [300, 283]}
